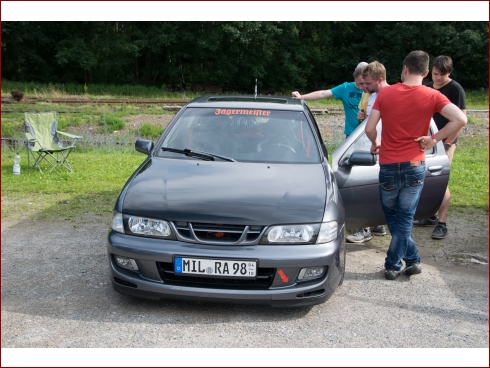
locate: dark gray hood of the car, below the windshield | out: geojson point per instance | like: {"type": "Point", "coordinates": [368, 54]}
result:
{"type": "Point", "coordinates": [227, 192]}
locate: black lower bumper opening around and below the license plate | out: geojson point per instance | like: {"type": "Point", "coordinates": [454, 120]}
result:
{"type": "Point", "coordinates": [264, 279]}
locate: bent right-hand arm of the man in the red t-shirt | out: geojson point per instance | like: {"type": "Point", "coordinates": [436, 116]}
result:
{"type": "Point", "coordinates": [457, 121]}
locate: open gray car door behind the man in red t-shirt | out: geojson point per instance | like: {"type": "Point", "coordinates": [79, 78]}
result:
{"type": "Point", "coordinates": [356, 172]}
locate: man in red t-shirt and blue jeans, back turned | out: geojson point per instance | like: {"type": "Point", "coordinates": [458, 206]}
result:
{"type": "Point", "coordinates": [406, 110]}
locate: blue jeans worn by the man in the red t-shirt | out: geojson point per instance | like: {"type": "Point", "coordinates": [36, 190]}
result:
{"type": "Point", "coordinates": [400, 186]}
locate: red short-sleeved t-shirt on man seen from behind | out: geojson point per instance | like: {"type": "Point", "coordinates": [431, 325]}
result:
{"type": "Point", "coordinates": [405, 113]}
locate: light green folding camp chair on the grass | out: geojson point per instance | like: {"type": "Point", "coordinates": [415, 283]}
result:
{"type": "Point", "coordinates": [43, 143]}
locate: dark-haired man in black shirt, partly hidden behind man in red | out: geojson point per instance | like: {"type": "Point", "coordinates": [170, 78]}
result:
{"type": "Point", "coordinates": [441, 70]}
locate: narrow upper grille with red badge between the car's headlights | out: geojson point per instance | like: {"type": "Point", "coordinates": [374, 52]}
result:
{"type": "Point", "coordinates": [218, 233]}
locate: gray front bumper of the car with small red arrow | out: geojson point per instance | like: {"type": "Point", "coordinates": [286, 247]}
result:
{"type": "Point", "coordinates": [151, 254]}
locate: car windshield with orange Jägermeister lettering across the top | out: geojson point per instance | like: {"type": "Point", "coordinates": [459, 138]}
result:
{"type": "Point", "coordinates": [248, 135]}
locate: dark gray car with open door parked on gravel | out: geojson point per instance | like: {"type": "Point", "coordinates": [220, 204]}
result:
{"type": "Point", "coordinates": [236, 202]}
